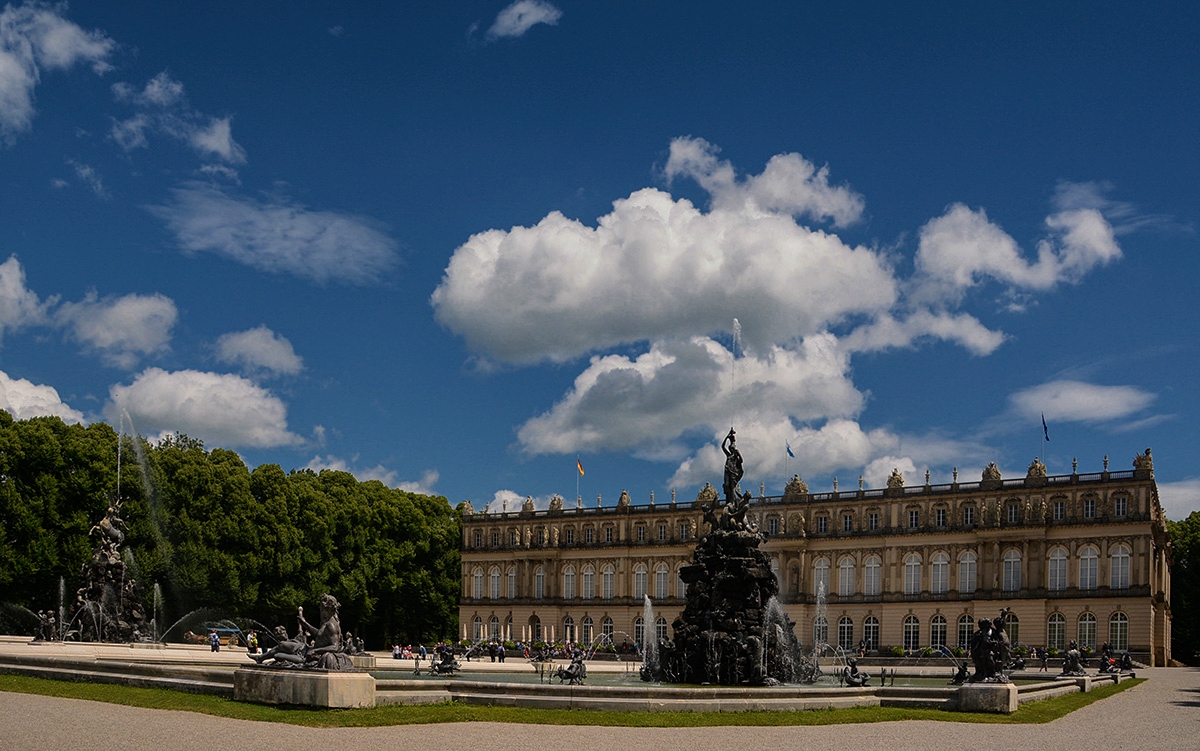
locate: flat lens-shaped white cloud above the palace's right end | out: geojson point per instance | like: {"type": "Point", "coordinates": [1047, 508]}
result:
{"type": "Point", "coordinates": [1073, 401]}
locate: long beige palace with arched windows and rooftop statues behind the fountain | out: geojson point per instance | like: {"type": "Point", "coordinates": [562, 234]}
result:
{"type": "Point", "coordinates": [1079, 557]}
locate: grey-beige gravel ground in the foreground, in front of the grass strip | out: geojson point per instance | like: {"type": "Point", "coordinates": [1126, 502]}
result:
{"type": "Point", "coordinates": [1160, 714]}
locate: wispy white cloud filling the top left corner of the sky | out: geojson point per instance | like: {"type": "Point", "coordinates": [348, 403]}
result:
{"type": "Point", "coordinates": [35, 38]}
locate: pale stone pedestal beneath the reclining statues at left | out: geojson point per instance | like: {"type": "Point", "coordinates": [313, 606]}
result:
{"type": "Point", "coordinates": [267, 686]}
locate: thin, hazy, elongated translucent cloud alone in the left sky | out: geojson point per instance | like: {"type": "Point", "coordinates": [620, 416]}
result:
{"type": "Point", "coordinates": [279, 236]}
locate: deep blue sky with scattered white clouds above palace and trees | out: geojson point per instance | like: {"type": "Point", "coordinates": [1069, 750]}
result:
{"type": "Point", "coordinates": [455, 247]}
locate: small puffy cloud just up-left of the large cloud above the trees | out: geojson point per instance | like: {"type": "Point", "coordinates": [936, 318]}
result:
{"type": "Point", "coordinates": [122, 329]}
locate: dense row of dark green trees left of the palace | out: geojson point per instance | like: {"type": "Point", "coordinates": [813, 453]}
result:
{"type": "Point", "coordinates": [214, 534]}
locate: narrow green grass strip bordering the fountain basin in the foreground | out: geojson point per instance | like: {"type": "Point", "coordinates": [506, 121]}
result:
{"type": "Point", "coordinates": [163, 699]}
